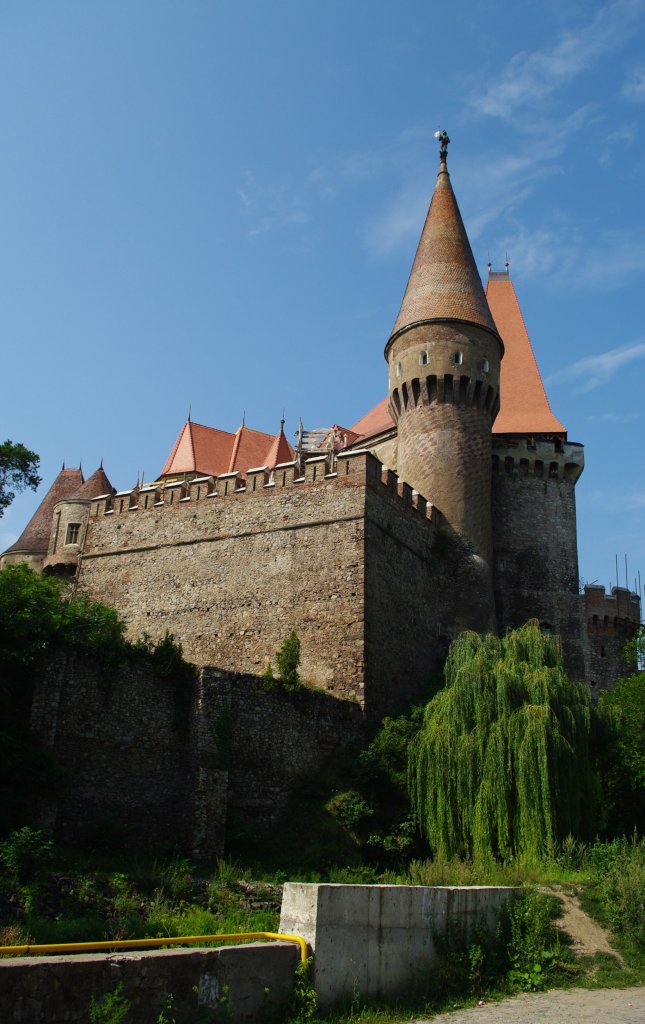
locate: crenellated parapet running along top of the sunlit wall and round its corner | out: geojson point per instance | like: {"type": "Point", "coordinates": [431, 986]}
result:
{"type": "Point", "coordinates": [357, 467]}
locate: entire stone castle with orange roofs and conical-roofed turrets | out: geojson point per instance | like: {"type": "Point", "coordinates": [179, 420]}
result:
{"type": "Point", "coordinates": [449, 506]}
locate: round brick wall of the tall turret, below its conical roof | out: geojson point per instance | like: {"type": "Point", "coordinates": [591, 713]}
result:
{"type": "Point", "coordinates": [445, 411]}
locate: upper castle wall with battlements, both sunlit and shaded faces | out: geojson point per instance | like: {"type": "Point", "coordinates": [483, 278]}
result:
{"type": "Point", "coordinates": [231, 572]}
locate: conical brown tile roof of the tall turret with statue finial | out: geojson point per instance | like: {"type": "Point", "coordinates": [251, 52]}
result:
{"type": "Point", "coordinates": [444, 283]}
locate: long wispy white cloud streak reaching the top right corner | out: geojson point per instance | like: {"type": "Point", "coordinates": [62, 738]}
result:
{"type": "Point", "coordinates": [531, 77]}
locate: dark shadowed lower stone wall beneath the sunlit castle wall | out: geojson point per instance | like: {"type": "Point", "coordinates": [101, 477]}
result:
{"type": "Point", "coordinates": [153, 773]}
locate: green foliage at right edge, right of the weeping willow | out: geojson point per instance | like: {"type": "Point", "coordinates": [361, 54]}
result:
{"type": "Point", "coordinates": [621, 754]}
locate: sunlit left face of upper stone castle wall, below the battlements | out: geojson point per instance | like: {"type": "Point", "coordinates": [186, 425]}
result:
{"type": "Point", "coordinates": [232, 575]}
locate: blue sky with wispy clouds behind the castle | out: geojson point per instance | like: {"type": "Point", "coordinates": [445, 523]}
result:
{"type": "Point", "coordinates": [217, 205]}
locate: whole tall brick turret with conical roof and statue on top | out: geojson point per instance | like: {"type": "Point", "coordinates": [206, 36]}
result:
{"type": "Point", "coordinates": [445, 355]}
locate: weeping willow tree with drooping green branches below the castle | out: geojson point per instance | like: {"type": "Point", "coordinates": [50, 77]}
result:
{"type": "Point", "coordinates": [501, 766]}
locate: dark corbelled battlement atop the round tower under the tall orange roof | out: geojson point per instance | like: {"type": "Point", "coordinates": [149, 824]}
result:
{"type": "Point", "coordinates": [543, 459]}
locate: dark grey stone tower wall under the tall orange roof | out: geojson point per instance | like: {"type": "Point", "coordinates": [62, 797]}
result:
{"type": "Point", "coordinates": [536, 544]}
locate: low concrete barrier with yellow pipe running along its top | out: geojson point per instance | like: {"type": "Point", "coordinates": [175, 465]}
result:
{"type": "Point", "coordinates": [237, 985]}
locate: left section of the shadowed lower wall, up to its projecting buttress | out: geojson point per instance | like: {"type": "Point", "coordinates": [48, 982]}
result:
{"type": "Point", "coordinates": [128, 749]}
